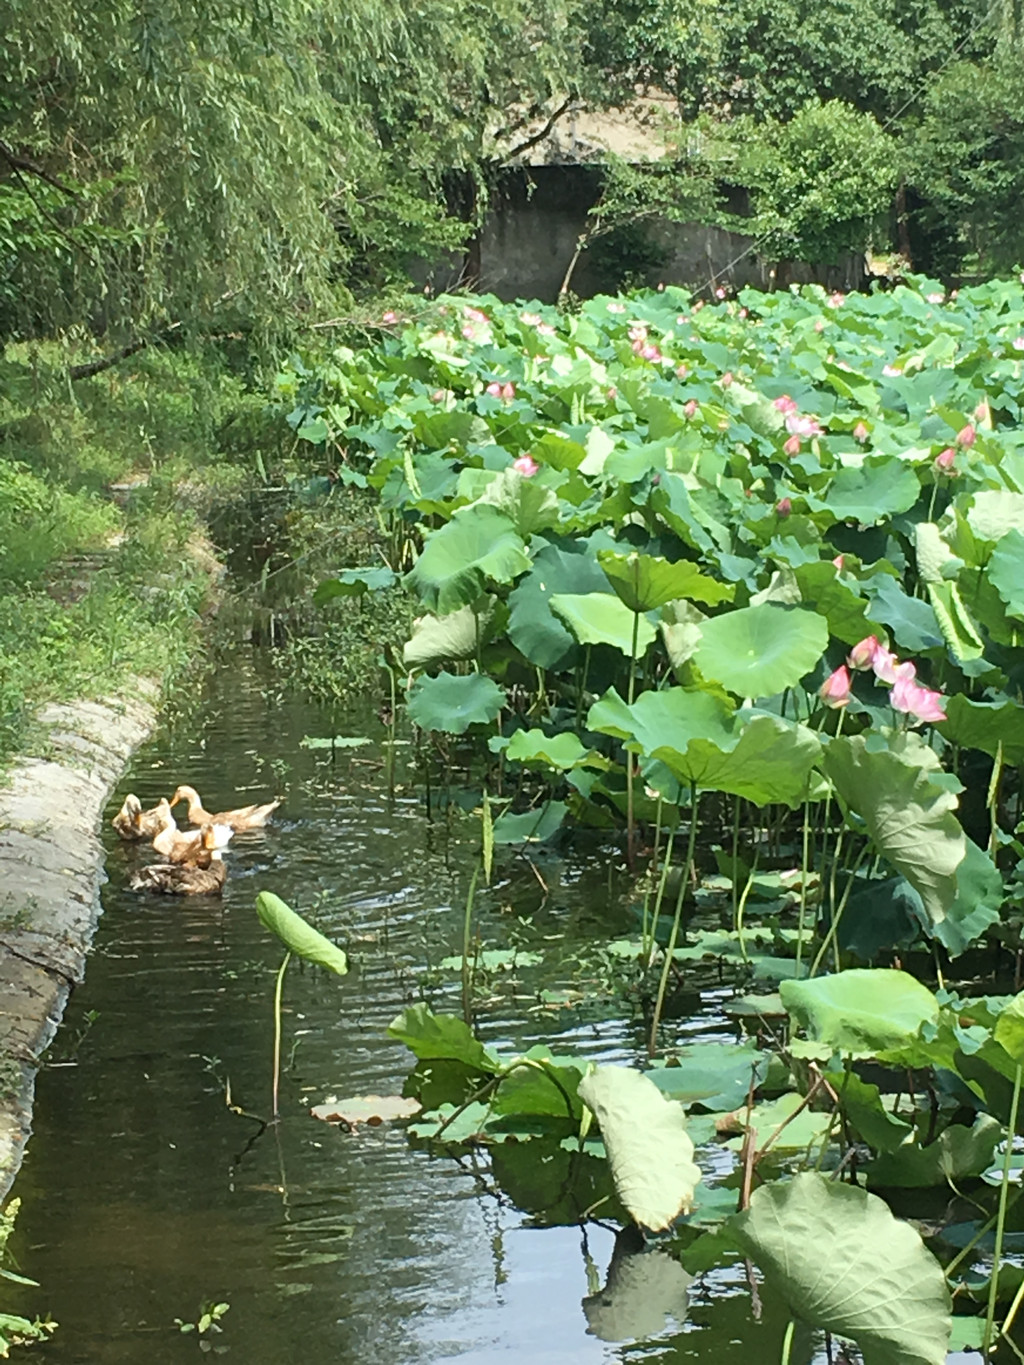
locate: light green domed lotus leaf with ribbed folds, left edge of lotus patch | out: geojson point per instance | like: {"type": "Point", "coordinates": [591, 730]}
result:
{"type": "Point", "coordinates": [477, 547]}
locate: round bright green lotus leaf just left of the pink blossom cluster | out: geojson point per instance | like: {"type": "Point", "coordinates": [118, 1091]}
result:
{"type": "Point", "coordinates": [761, 650]}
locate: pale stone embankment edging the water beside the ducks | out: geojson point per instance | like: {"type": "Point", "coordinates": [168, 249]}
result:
{"type": "Point", "coordinates": [51, 870]}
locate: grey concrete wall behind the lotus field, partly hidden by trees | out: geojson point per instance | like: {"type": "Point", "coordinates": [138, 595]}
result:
{"type": "Point", "coordinates": [540, 212]}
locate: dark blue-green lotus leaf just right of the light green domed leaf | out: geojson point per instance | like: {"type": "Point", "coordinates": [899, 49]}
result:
{"type": "Point", "coordinates": [533, 627]}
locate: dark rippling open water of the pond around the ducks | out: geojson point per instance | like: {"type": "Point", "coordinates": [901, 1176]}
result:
{"type": "Point", "coordinates": [147, 1198]}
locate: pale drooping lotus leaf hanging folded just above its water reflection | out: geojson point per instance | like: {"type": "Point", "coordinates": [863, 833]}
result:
{"type": "Point", "coordinates": [648, 1145]}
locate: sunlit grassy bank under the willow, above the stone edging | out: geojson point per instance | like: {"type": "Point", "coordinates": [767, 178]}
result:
{"type": "Point", "coordinates": [104, 485]}
